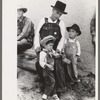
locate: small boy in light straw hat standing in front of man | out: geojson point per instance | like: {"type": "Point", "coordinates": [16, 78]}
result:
{"type": "Point", "coordinates": [46, 61]}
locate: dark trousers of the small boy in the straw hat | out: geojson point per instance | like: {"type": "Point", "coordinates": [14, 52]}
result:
{"type": "Point", "coordinates": [49, 82]}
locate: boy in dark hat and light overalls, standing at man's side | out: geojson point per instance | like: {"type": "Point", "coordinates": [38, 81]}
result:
{"type": "Point", "coordinates": [72, 52]}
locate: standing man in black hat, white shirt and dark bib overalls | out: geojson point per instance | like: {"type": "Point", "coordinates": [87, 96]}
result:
{"type": "Point", "coordinates": [51, 26]}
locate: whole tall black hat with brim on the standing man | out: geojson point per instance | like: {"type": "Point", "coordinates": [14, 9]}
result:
{"type": "Point", "coordinates": [60, 6]}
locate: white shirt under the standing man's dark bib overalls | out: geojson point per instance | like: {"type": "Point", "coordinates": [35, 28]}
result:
{"type": "Point", "coordinates": [37, 35]}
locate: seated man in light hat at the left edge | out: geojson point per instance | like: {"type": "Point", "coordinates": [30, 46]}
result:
{"type": "Point", "coordinates": [25, 31]}
